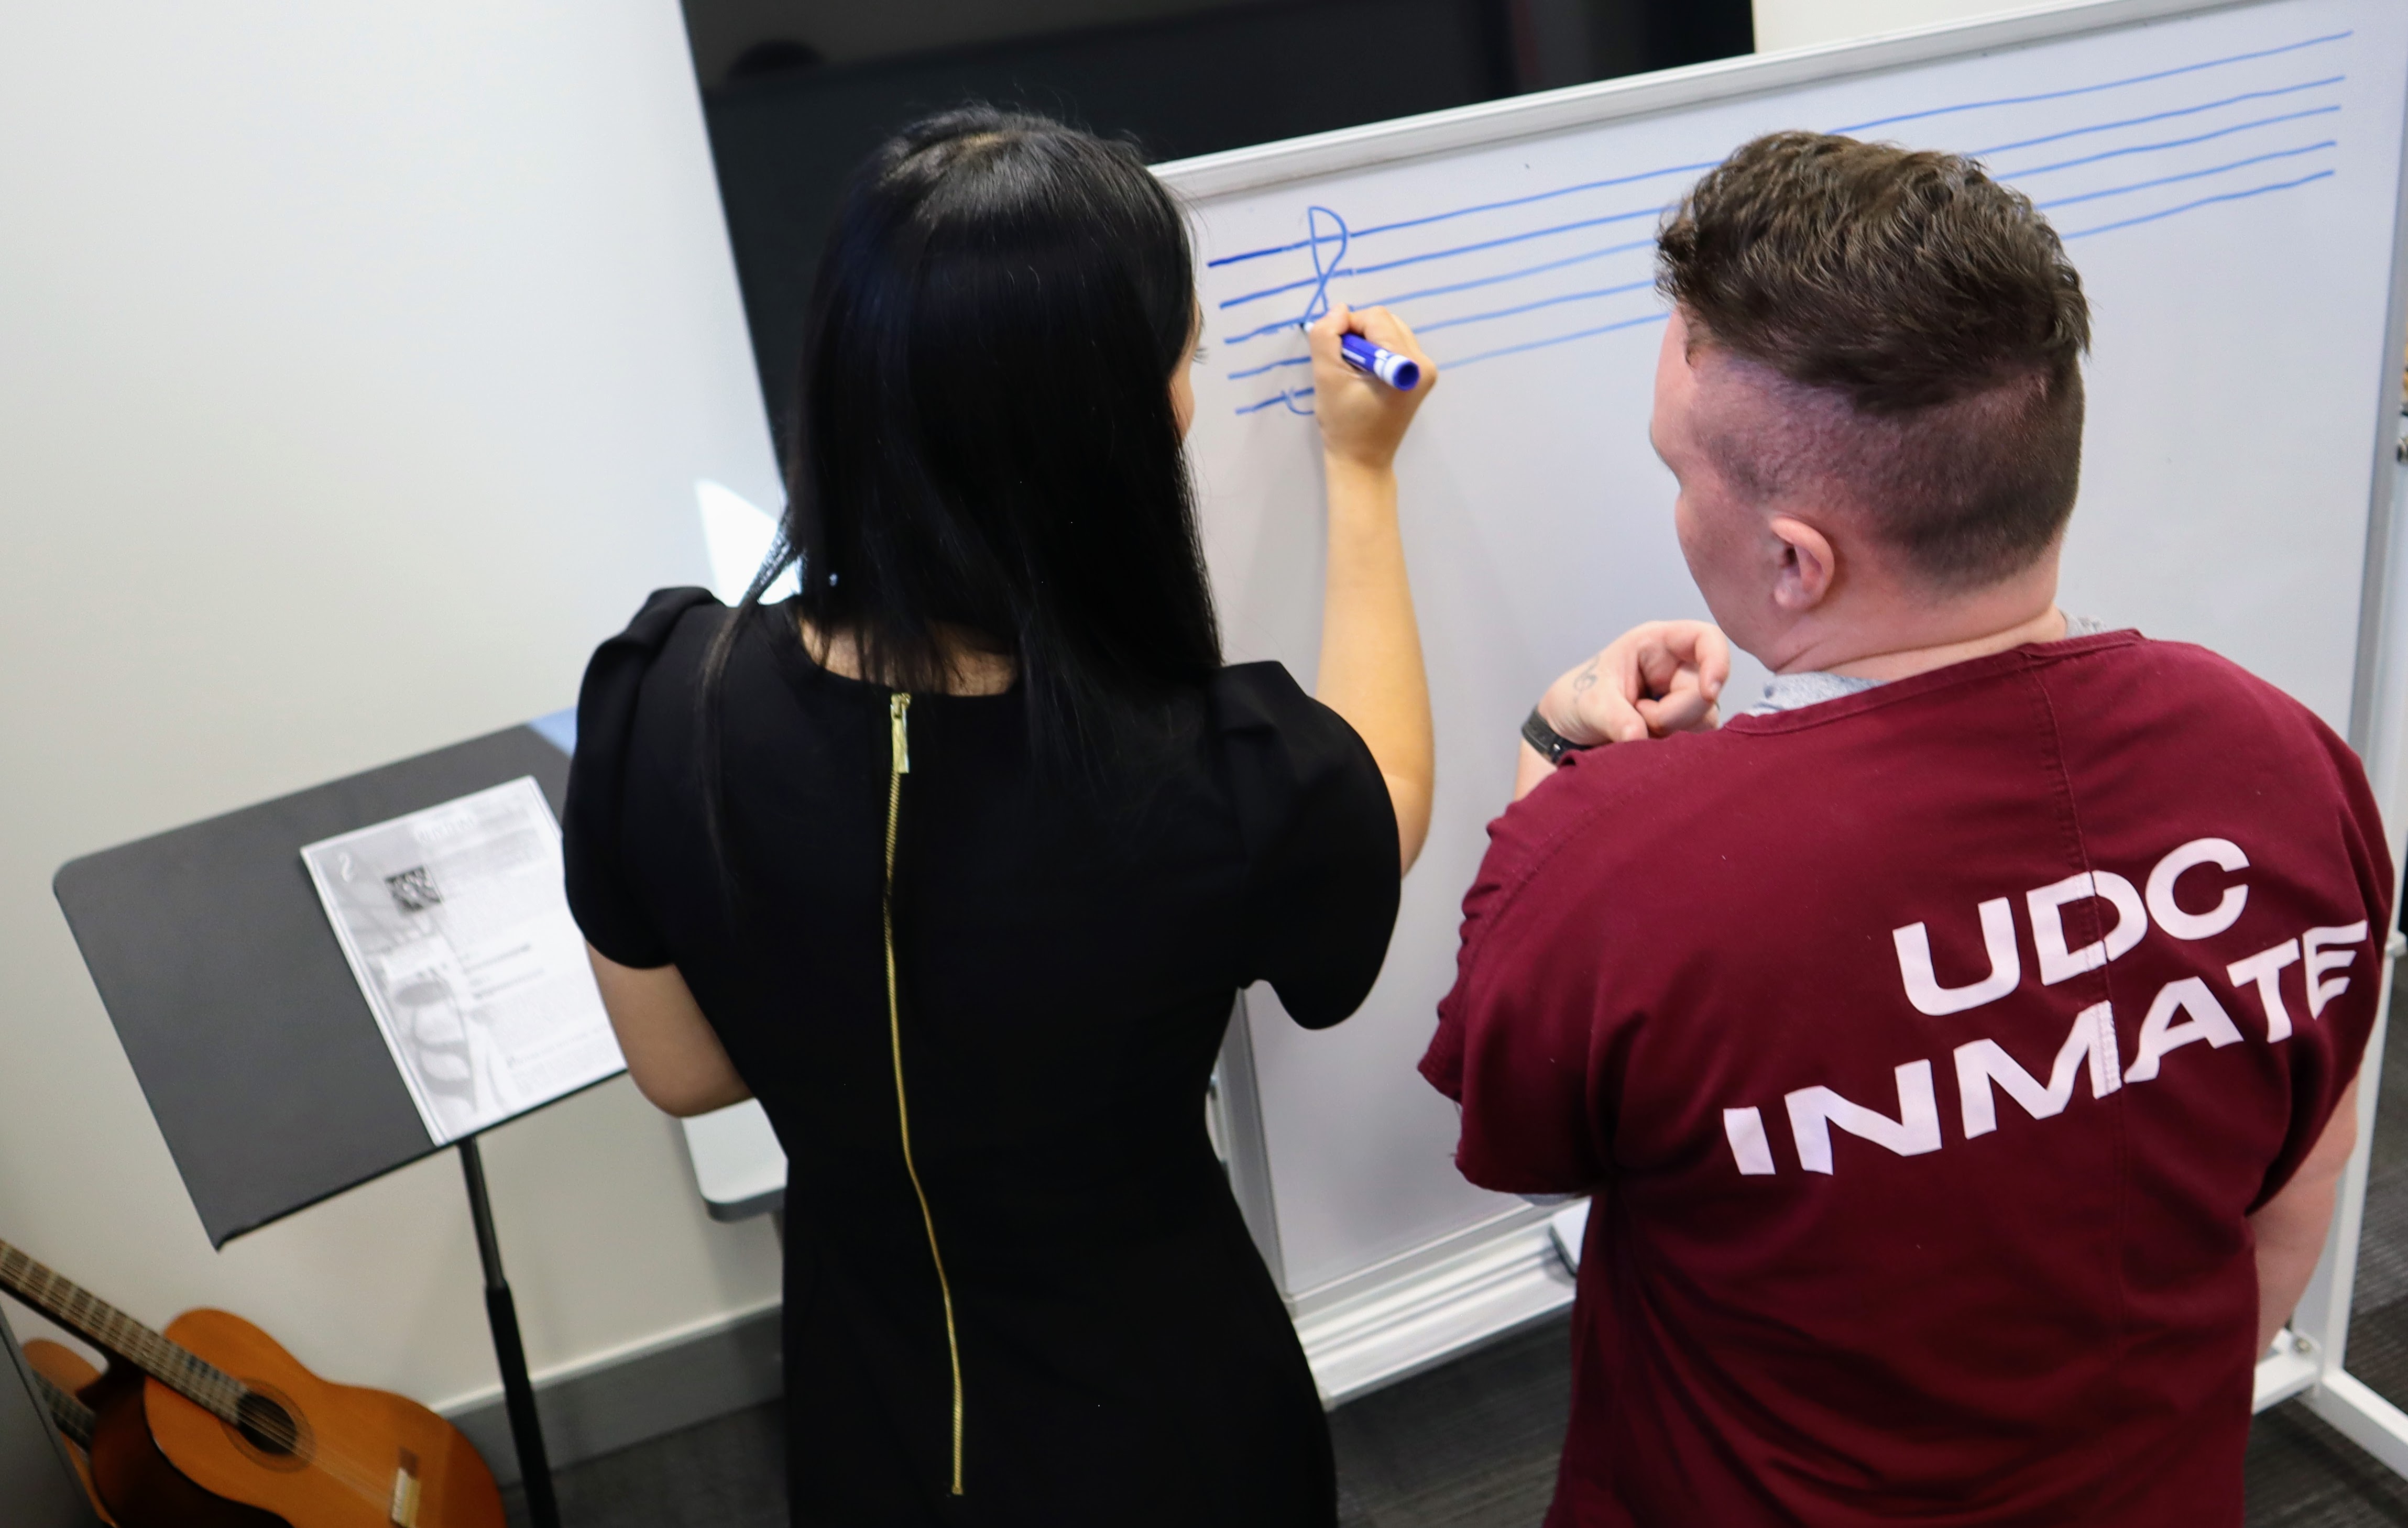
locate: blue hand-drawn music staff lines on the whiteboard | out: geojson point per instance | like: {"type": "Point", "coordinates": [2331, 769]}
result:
{"type": "Point", "coordinates": [1335, 247]}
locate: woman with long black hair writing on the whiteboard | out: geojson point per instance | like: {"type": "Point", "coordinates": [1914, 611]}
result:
{"type": "Point", "coordinates": [960, 858]}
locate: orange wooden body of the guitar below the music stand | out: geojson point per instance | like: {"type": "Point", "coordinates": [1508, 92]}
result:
{"type": "Point", "coordinates": [348, 1457]}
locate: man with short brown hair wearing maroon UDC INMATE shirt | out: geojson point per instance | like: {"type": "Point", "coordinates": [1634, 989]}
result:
{"type": "Point", "coordinates": [1961, 1048]}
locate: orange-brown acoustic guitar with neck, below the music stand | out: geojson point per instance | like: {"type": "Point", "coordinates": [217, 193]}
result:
{"type": "Point", "coordinates": [213, 1426]}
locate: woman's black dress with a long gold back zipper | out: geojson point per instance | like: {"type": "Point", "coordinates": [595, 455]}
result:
{"type": "Point", "coordinates": [1066, 973]}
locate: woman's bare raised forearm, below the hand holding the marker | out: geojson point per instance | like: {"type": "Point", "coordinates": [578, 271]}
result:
{"type": "Point", "coordinates": [1371, 648]}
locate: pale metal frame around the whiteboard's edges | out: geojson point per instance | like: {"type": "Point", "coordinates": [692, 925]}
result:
{"type": "Point", "coordinates": [1482, 1284]}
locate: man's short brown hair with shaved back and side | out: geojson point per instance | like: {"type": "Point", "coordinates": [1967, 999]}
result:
{"type": "Point", "coordinates": [1923, 321]}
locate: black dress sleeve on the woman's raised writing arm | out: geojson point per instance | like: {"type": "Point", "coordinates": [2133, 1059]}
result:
{"type": "Point", "coordinates": [1321, 841]}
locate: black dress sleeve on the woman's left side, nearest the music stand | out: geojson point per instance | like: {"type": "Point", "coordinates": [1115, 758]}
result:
{"type": "Point", "coordinates": [601, 896]}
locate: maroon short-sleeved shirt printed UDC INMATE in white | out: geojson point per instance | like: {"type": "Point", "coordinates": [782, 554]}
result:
{"type": "Point", "coordinates": [1925, 1053]}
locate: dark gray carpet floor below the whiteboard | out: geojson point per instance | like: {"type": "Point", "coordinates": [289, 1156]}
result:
{"type": "Point", "coordinates": [1472, 1445]}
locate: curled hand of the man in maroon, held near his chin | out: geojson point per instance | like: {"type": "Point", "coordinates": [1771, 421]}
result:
{"type": "Point", "coordinates": [1651, 682]}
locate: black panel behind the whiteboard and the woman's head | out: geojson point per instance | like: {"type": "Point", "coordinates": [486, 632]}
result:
{"type": "Point", "coordinates": [798, 90]}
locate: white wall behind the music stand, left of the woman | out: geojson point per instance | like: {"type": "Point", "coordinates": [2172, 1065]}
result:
{"type": "Point", "coordinates": [355, 372]}
